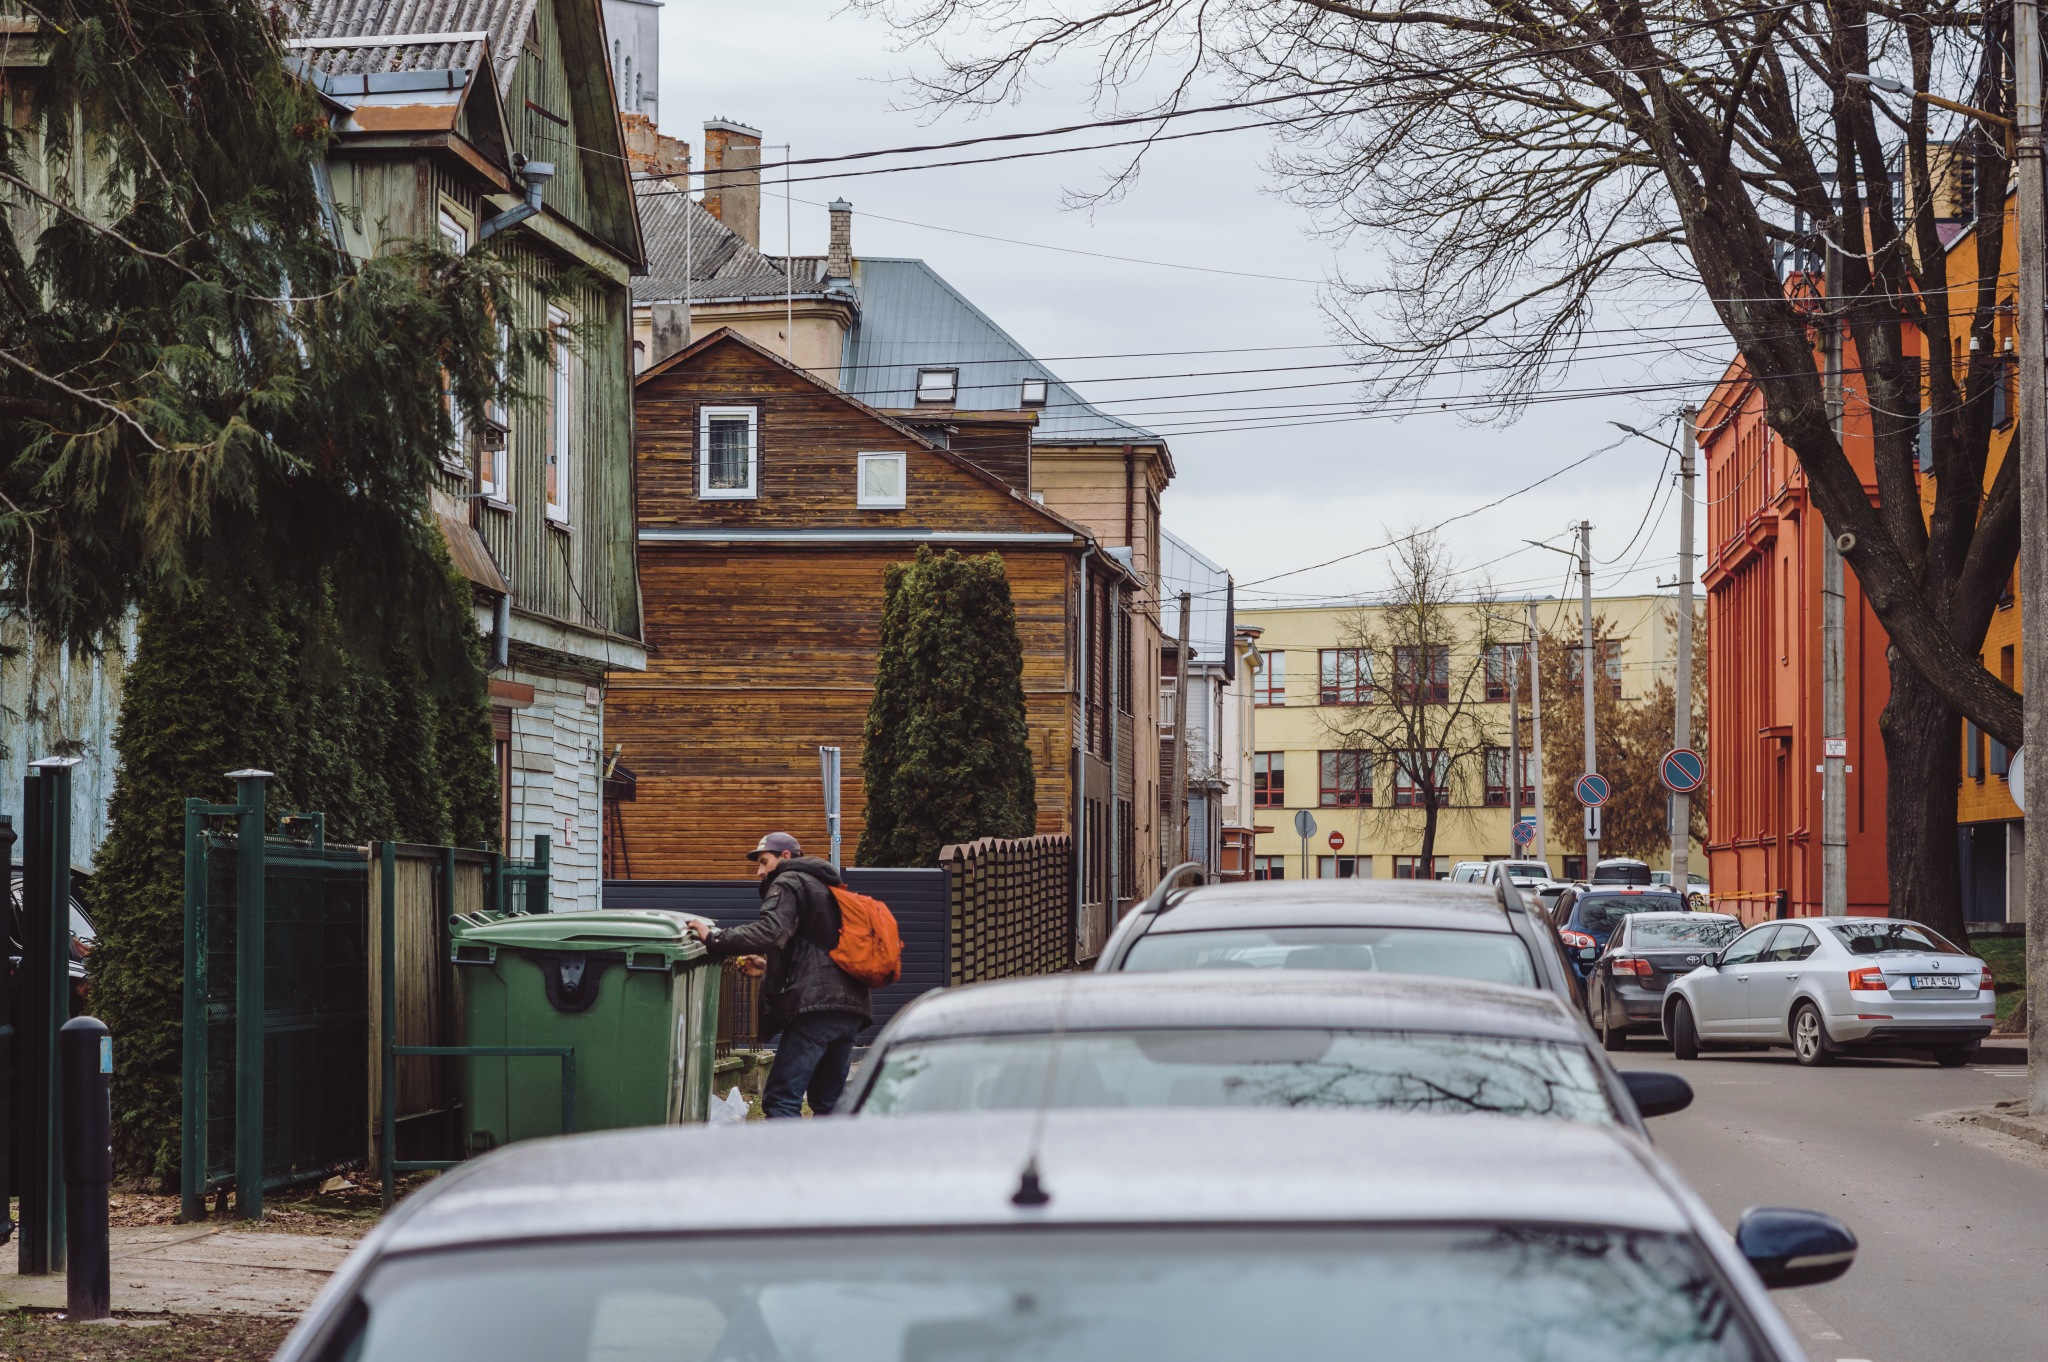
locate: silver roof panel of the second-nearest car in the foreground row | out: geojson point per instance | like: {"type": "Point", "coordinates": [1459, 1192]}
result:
{"type": "Point", "coordinates": [1238, 998]}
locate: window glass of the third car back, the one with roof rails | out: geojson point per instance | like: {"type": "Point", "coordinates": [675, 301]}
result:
{"type": "Point", "coordinates": [1498, 957]}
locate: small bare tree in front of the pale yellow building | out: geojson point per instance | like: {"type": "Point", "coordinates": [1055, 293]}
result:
{"type": "Point", "coordinates": [1408, 697]}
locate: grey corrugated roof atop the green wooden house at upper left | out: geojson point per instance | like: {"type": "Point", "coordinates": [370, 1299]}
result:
{"type": "Point", "coordinates": [329, 19]}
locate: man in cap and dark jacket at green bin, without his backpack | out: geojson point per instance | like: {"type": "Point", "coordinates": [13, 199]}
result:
{"type": "Point", "coordinates": [818, 1007]}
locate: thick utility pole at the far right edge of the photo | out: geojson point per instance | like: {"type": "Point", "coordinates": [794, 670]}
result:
{"type": "Point", "coordinates": [2031, 445]}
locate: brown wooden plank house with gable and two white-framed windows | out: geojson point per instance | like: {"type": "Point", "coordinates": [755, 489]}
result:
{"type": "Point", "coordinates": [769, 507]}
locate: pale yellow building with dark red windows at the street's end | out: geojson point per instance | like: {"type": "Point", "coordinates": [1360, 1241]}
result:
{"type": "Point", "coordinates": [1295, 693]}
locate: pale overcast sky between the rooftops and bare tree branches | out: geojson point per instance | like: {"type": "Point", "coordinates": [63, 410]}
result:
{"type": "Point", "coordinates": [1261, 499]}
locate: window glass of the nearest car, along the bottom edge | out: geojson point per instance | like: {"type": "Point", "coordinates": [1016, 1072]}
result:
{"type": "Point", "coordinates": [1488, 1293]}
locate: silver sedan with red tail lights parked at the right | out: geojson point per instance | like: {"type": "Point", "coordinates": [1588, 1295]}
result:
{"type": "Point", "coordinates": [1830, 984]}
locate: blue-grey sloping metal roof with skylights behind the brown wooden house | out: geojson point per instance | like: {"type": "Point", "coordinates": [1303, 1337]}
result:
{"type": "Point", "coordinates": [910, 321]}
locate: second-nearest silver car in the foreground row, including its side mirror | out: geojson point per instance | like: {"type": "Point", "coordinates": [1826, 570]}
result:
{"type": "Point", "coordinates": [1324, 1039]}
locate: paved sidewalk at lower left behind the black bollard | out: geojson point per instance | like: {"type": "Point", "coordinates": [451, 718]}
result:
{"type": "Point", "coordinates": [200, 1271]}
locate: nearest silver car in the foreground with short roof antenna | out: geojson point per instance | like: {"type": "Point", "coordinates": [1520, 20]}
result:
{"type": "Point", "coordinates": [1078, 1236]}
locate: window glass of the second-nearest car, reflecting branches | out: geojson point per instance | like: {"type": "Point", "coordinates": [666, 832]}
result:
{"type": "Point", "coordinates": [1367, 1070]}
